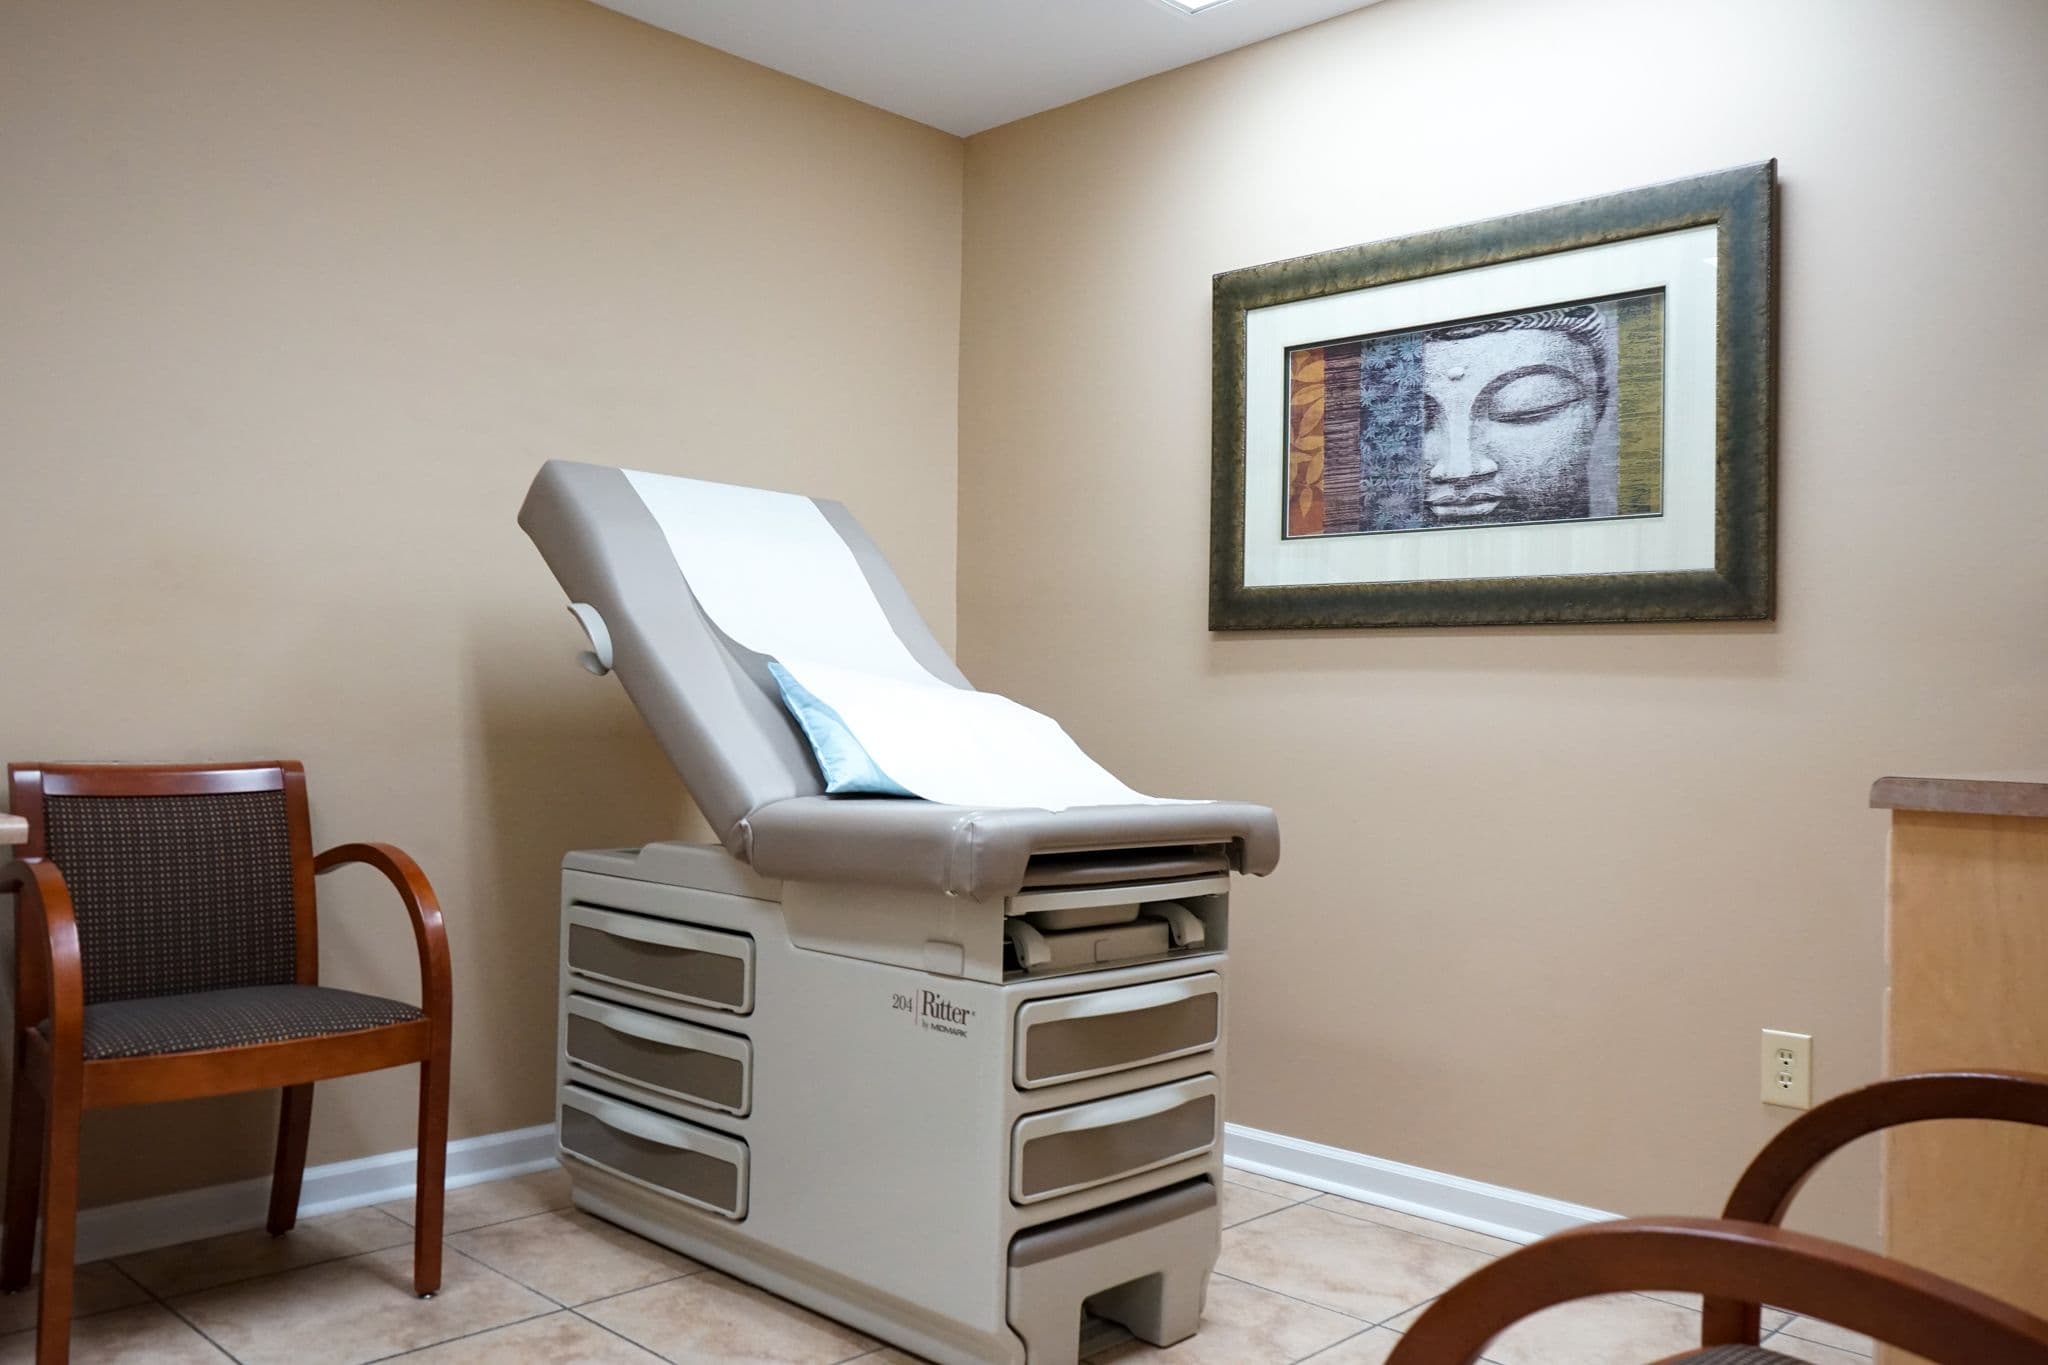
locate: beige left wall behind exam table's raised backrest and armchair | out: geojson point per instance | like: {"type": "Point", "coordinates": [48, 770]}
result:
{"type": "Point", "coordinates": [298, 298]}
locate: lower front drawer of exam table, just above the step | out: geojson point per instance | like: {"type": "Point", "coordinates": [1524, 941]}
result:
{"type": "Point", "coordinates": [1072, 1149]}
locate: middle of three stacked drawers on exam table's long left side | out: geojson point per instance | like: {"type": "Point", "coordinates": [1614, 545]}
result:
{"type": "Point", "coordinates": [671, 1057]}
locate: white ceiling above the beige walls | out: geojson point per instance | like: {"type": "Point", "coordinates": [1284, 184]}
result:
{"type": "Point", "coordinates": [972, 64]}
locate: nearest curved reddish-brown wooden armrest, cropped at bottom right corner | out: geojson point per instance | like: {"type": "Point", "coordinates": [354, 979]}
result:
{"type": "Point", "coordinates": [1803, 1274]}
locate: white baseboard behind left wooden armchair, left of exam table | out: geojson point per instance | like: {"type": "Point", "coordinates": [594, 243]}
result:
{"type": "Point", "coordinates": [165, 1221]}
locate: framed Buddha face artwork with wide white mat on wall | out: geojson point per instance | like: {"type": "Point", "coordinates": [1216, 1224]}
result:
{"type": "Point", "coordinates": [1560, 416]}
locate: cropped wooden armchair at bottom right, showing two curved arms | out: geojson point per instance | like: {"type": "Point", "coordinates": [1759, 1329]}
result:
{"type": "Point", "coordinates": [1746, 1260]}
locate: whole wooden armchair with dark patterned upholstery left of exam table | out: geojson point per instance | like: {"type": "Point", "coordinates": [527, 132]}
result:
{"type": "Point", "coordinates": [167, 949]}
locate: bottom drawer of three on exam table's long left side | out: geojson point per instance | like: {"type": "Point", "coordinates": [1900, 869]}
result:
{"type": "Point", "coordinates": [656, 1151]}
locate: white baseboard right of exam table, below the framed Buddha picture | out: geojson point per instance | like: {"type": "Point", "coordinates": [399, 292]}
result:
{"type": "Point", "coordinates": [1453, 1200]}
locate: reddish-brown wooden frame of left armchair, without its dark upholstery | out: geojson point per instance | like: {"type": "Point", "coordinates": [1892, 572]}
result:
{"type": "Point", "coordinates": [54, 1086]}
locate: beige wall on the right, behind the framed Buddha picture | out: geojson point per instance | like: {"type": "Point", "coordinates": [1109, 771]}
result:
{"type": "Point", "coordinates": [1541, 887]}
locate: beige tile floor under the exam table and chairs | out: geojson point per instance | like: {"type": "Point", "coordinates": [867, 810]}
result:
{"type": "Point", "coordinates": [527, 1280]}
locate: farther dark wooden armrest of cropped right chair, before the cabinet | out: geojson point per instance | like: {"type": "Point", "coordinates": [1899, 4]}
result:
{"type": "Point", "coordinates": [1781, 1170]}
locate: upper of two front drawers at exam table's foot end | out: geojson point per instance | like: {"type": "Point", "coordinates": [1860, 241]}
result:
{"type": "Point", "coordinates": [1076, 1037]}
